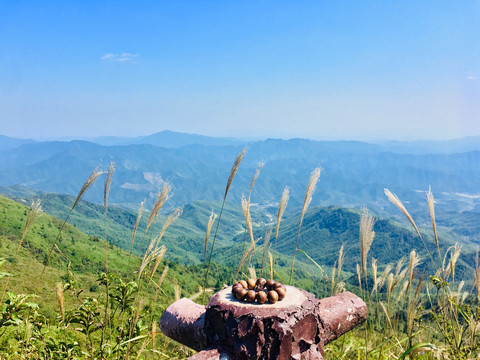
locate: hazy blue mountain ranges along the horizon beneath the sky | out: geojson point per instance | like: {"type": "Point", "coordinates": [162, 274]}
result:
{"type": "Point", "coordinates": [354, 173]}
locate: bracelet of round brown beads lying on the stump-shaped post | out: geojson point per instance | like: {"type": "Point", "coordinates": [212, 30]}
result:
{"type": "Point", "coordinates": [260, 290]}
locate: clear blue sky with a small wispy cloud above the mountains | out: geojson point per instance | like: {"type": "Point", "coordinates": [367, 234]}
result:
{"type": "Point", "coordinates": [362, 70]}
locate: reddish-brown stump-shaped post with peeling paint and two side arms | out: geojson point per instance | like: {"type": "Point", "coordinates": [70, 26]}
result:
{"type": "Point", "coordinates": [298, 327]}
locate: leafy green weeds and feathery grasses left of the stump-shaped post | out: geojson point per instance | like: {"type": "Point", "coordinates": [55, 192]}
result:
{"type": "Point", "coordinates": [115, 324]}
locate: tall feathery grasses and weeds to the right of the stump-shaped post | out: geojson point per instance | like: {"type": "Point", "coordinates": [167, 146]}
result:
{"type": "Point", "coordinates": [410, 317]}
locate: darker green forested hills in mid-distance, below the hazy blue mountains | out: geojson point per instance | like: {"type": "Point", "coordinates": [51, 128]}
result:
{"type": "Point", "coordinates": [322, 234]}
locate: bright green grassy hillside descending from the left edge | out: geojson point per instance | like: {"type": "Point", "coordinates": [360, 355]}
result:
{"type": "Point", "coordinates": [85, 253]}
